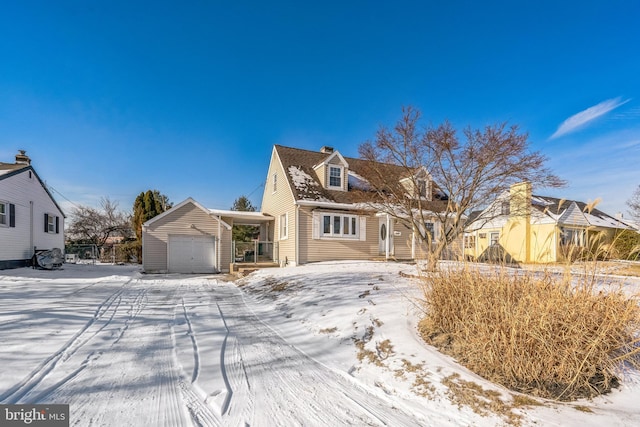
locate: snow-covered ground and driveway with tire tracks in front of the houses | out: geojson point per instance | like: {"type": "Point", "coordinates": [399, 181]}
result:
{"type": "Point", "coordinates": [324, 344]}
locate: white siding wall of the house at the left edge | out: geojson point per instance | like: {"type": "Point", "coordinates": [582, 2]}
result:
{"type": "Point", "coordinates": [24, 192]}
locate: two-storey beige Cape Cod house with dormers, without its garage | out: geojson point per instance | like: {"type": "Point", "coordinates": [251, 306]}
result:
{"type": "Point", "coordinates": [316, 199]}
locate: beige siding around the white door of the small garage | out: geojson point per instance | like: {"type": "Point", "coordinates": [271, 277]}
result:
{"type": "Point", "coordinates": [178, 222]}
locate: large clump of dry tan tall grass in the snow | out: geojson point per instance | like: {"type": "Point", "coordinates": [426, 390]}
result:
{"type": "Point", "coordinates": [542, 334]}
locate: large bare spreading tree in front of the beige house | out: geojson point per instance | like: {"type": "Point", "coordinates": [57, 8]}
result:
{"type": "Point", "coordinates": [444, 178]}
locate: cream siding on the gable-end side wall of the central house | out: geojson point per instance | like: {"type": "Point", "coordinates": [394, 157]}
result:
{"type": "Point", "coordinates": [278, 203]}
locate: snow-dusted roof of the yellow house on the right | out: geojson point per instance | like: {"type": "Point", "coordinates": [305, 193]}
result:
{"type": "Point", "coordinates": [573, 212]}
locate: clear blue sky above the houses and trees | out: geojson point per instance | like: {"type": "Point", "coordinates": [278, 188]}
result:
{"type": "Point", "coordinates": [114, 98]}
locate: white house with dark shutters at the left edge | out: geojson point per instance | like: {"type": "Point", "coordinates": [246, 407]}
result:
{"type": "Point", "coordinates": [30, 218]}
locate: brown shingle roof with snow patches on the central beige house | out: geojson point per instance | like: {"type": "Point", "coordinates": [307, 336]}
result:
{"type": "Point", "coordinates": [299, 167]}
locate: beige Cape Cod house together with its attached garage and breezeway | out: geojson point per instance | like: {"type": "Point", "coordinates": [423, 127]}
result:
{"type": "Point", "coordinates": [315, 207]}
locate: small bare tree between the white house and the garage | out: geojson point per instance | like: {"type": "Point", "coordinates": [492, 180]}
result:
{"type": "Point", "coordinates": [97, 225]}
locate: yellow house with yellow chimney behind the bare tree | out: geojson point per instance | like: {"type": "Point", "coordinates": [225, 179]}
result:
{"type": "Point", "coordinates": [521, 227]}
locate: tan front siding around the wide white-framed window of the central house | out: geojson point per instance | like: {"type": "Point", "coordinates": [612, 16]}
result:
{"type": "Point", "coordinates": [313, 250]}
